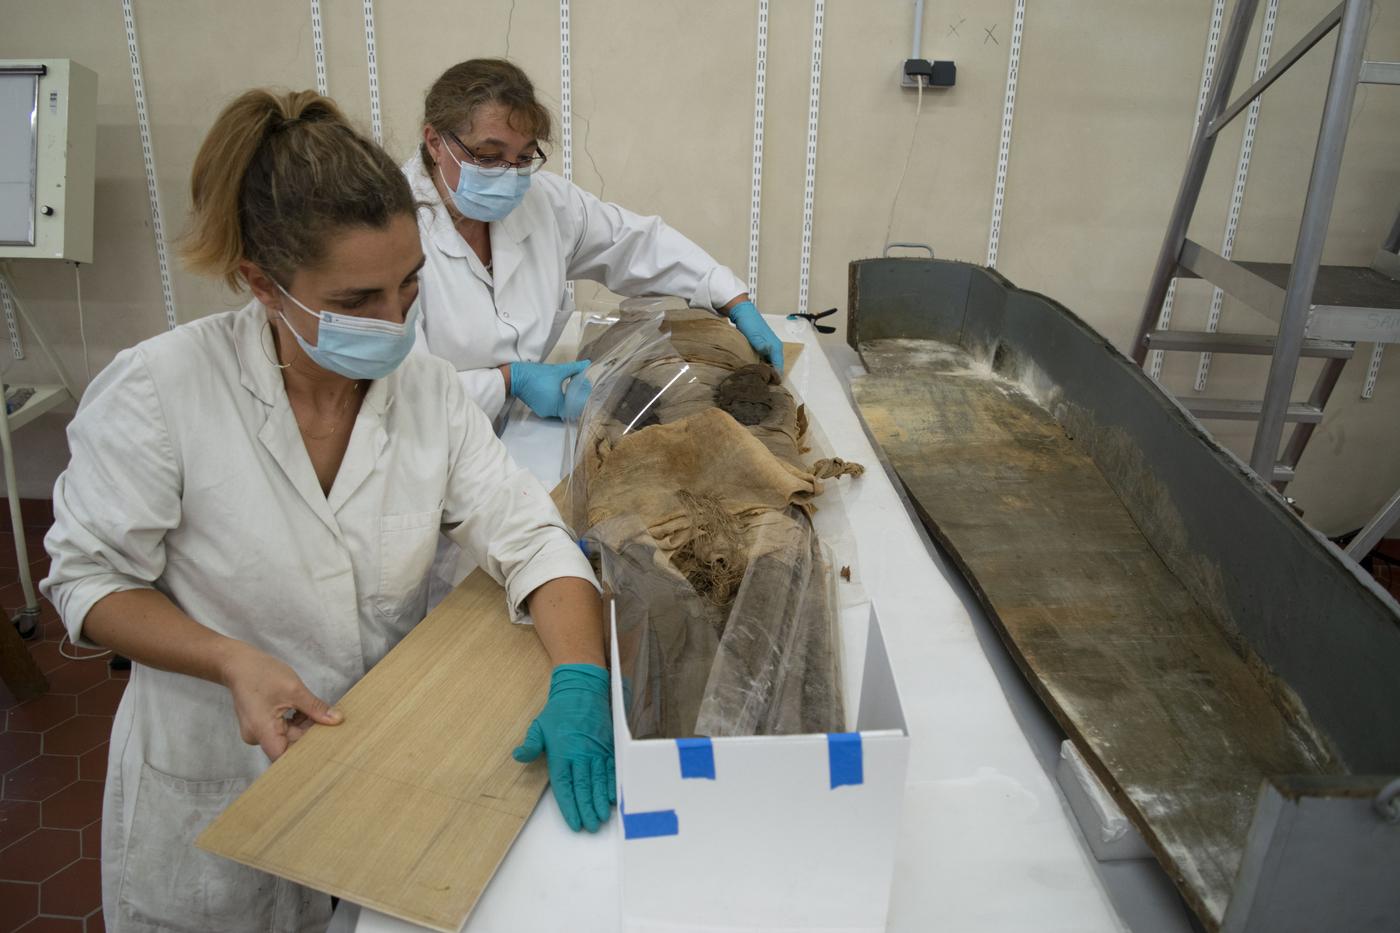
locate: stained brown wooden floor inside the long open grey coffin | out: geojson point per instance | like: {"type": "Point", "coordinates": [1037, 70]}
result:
{"type": "Point", "coordinates": [1178, 725]}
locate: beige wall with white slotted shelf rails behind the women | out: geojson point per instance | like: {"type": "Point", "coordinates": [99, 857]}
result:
{"type": "Point", "coordinates": [663, 121]}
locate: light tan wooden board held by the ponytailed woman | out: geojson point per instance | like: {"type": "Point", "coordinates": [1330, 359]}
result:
{"type": "Point", "coordinates": [411, 803]}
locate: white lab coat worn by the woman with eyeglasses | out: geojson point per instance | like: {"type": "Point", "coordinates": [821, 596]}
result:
{"type": "Point", "coordinates": [479, 320]}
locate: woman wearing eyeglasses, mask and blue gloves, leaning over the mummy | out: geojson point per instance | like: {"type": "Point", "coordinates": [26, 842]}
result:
{"type": "Point", "coordinates": [505, 239]}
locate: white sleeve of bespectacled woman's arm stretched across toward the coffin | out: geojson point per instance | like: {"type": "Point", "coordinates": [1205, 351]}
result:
{"type": "Point", "coordinates": [636, 256]}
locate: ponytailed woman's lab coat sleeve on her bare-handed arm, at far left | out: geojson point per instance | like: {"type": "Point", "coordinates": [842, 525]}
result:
{"type": "Point", "coordinates": [118, 497]}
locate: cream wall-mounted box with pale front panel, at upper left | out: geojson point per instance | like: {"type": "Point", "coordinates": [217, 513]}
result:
{"type": "Point", "coordinates": [48, 159]}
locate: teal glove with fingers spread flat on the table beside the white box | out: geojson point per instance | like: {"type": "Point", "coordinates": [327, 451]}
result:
{"type": "Point", "coordinates": [575, 732]}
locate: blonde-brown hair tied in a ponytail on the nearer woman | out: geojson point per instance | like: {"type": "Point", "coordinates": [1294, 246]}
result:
{"type": "Point", "coordinates": [276, 174]}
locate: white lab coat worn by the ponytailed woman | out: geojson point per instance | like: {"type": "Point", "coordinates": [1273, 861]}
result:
{"type": "Point", "coordinates": [190, 476]}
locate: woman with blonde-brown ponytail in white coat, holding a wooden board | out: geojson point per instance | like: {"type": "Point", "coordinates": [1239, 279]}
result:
{"type": "Point", "coordinates": [253, 505]}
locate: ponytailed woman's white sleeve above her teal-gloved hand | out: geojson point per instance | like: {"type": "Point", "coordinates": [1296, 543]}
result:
{"type": "Point", "coordinates": [502, 516]}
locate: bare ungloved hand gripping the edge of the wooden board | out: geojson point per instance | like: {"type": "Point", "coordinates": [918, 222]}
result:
{"type": "Point", "coordinates": [274, 707]}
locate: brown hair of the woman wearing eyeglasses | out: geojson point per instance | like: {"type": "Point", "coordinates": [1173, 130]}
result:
{"type": "Point", "coordinates": [467, 86]}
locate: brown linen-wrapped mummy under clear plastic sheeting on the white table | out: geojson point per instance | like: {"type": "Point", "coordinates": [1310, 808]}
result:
{"type": "Point", "coordinates": [691, 485]}
